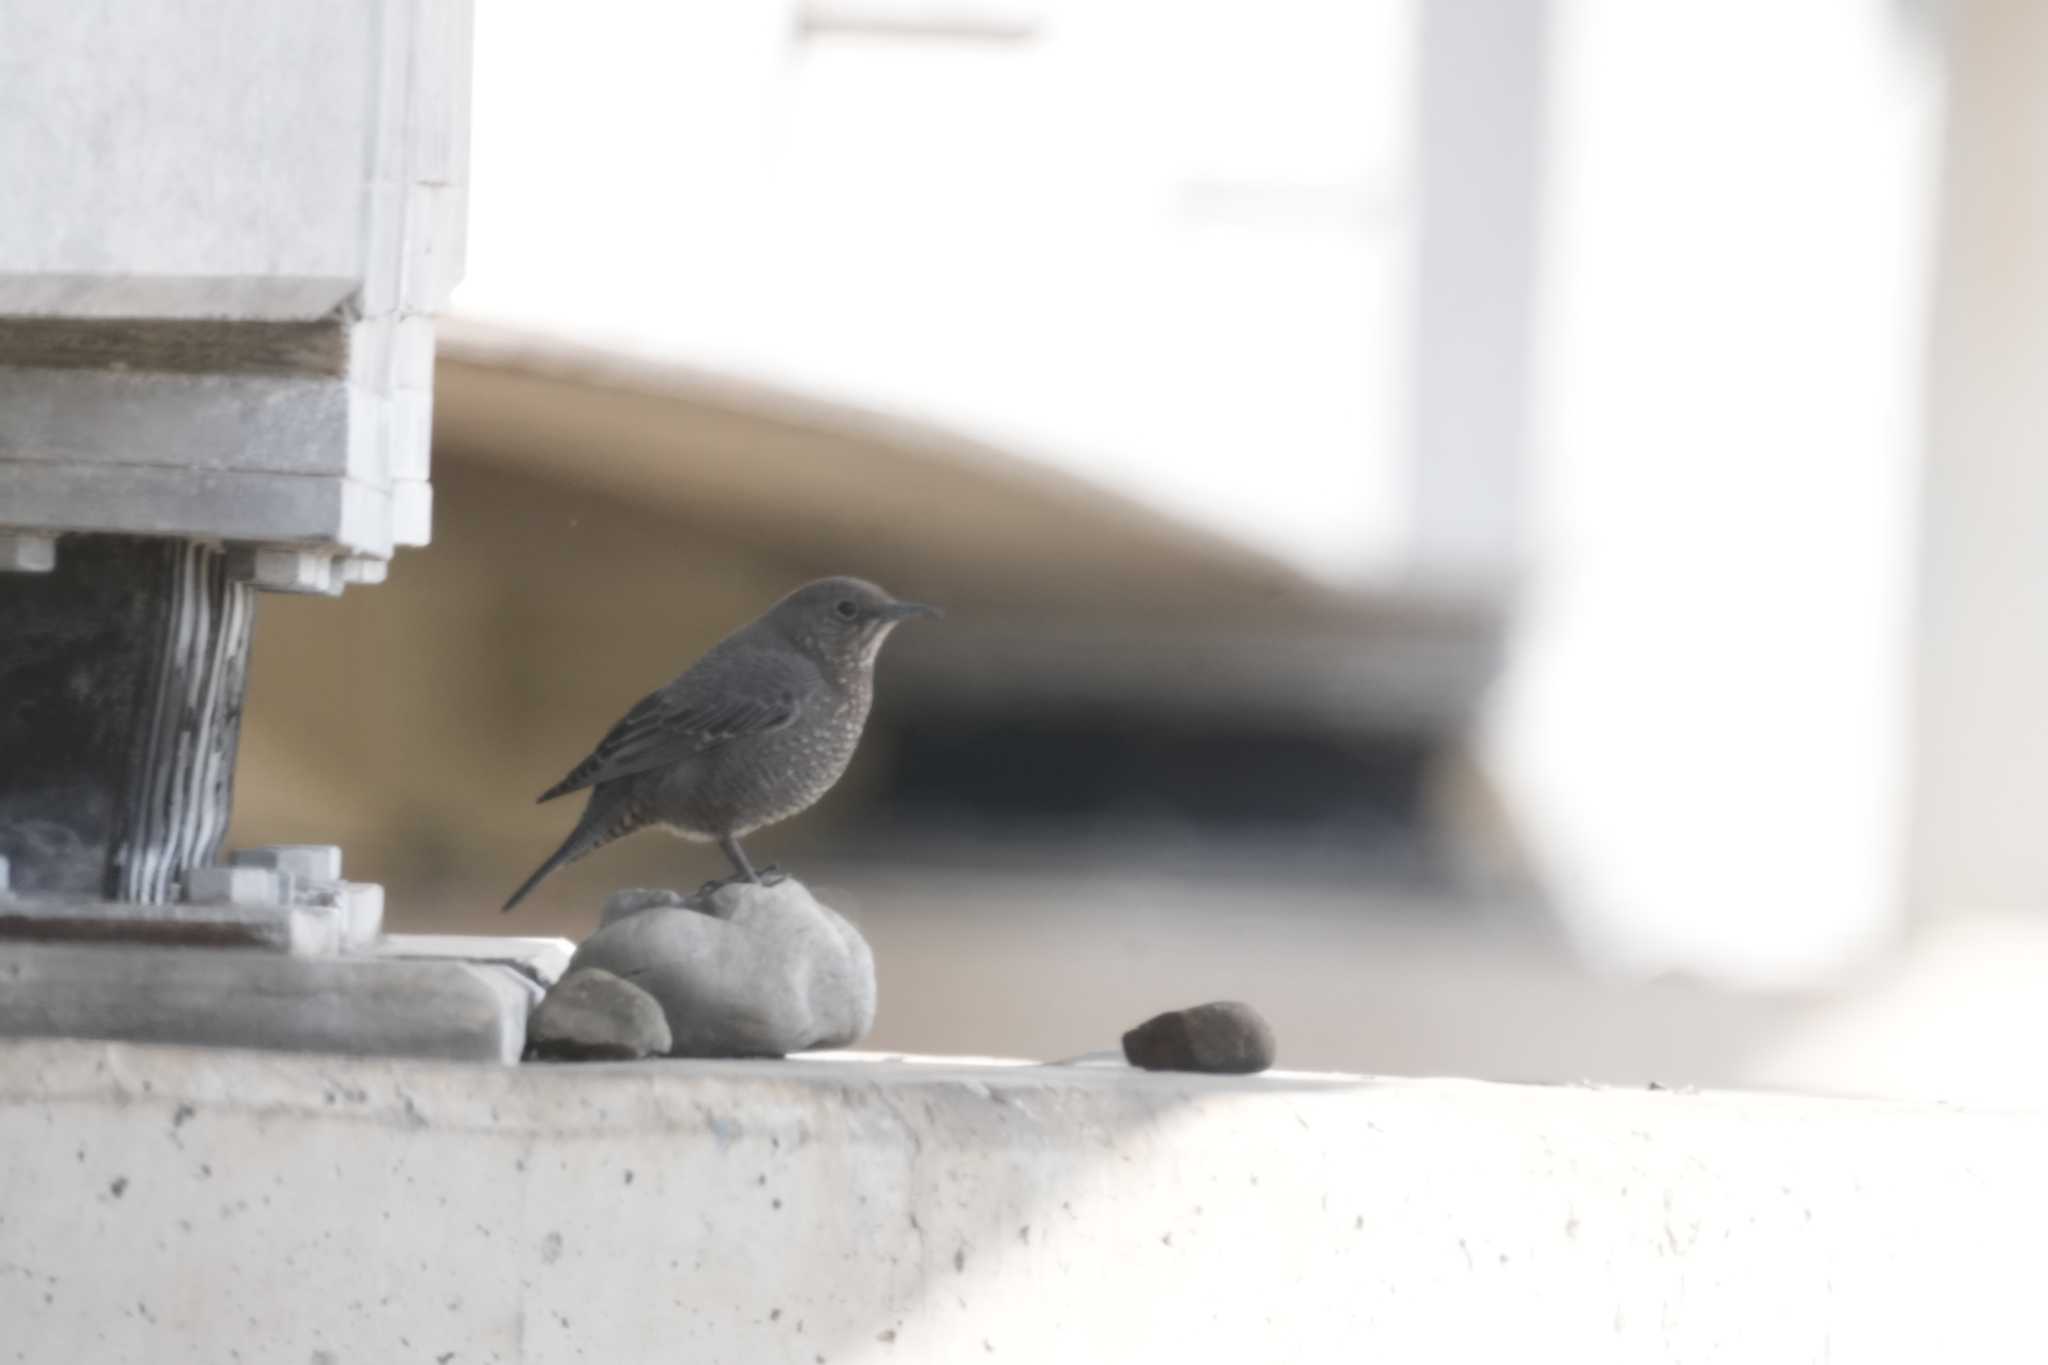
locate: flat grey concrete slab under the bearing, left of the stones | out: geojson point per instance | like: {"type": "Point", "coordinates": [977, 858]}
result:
{"type": "Point", "coordinates": [237, 998]}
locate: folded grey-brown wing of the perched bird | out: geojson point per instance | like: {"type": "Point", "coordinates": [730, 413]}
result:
{"type": "Point", "coordinates": [722, 699]}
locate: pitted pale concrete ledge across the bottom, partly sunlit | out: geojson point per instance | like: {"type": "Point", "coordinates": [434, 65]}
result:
{"type": "Point", "coordinates": [167, 1204]}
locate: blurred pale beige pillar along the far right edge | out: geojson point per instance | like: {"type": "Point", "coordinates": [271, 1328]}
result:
{"type": "Point", "coordinates": [1981, 758]}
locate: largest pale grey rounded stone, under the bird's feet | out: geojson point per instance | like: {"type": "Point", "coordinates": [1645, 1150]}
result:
{"type": "Point", "coordinates": [742, 971]}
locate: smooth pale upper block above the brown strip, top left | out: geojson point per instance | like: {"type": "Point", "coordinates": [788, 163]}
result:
{"type": "Point", "coordinates": [257, 159]}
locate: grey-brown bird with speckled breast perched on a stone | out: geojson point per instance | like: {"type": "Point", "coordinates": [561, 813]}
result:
{"type": "Point", "coordinates": [749, 736]}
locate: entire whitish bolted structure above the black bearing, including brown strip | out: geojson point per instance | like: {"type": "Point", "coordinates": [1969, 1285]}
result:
{"type": "Point", "coordinates": [226, 232]}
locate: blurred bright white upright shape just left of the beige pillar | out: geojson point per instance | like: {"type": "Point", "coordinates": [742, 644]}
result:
{"type": "Point", "coordinates": [1707, 719]}
